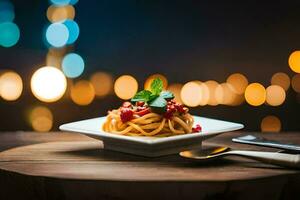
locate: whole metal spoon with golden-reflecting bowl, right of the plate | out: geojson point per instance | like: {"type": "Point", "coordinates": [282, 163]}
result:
{"type": "Point", "coordinates": [274, 158]}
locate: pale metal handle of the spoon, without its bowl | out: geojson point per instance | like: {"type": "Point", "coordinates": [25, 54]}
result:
{"type": "Point", "coordinates": [281, 159]}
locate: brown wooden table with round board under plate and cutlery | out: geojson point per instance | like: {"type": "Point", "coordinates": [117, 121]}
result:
{"type": "Point", "coordinates": [73, 166]}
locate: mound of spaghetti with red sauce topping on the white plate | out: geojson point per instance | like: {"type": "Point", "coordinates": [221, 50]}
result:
{"type": "Point", "coordinates": [142, 118]}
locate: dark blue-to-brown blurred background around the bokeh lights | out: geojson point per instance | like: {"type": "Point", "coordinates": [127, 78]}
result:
{"type": "Point", "coordinates": [184, 40]}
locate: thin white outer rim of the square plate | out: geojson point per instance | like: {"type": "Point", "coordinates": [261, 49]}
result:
{"type": "Point", "coordinates": [137, 139]}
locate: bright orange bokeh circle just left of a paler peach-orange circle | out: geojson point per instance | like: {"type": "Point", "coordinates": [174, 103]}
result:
{"type": "Point", "coordinates": [255, 94]}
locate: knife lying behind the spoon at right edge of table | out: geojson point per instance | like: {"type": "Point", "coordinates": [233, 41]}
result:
{"type": "Point", "coordinates": [260, 141]}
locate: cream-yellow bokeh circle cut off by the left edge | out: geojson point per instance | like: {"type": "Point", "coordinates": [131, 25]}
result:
{"type": "Point", "coordinates": [11, 86]}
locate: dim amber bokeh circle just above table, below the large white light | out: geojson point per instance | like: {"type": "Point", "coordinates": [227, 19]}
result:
{"type": "Point", "coordinates": [41, 119]}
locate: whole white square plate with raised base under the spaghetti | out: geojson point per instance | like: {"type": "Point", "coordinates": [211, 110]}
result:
{"type": "Point", "coordinates": [151, 146]}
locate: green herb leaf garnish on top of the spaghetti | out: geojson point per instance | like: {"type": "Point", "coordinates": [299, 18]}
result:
{"type": "Point", "coordinates": [155, 98]}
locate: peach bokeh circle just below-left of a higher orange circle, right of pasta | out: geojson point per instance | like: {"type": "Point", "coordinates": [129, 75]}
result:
{"type": "Point", "coordinates": [225, 94]}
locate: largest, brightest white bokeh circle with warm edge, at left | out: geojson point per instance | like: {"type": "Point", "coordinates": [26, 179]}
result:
{"type": "Point", "coordinates": [48, 84]}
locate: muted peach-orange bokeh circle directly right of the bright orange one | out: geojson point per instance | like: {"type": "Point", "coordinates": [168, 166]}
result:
{"type": "Point", "coordinates": [275, 95]}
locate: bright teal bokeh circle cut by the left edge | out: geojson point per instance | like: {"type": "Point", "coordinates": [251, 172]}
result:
{"type": "Point", "coordinates": [9, 34]}
